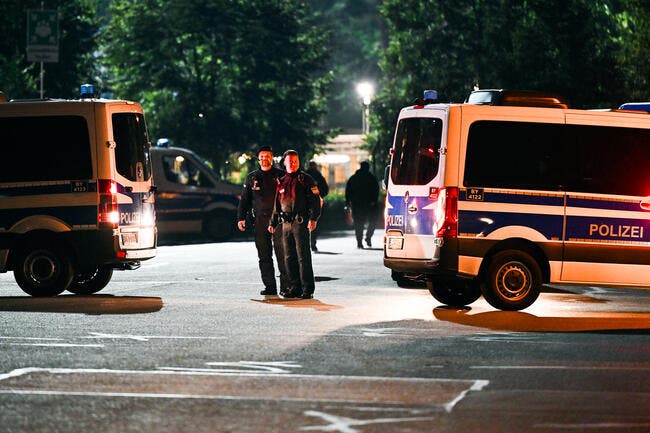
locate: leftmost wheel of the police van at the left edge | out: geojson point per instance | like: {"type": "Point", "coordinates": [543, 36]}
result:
{"type": "Point", "coordinates": [43, 270]}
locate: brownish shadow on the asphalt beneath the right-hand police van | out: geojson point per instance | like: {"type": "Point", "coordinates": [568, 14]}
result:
{"type": "Point", "coordinates": [526, 322]}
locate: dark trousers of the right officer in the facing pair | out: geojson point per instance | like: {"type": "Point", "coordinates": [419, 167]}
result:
{"type": "Point", "coordinates": [297, 253]}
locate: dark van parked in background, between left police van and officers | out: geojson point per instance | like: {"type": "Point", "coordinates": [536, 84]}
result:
{"type": "Point", "coordinates": [190, 198]}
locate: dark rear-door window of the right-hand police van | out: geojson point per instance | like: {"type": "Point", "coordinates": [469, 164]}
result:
{"type": "Point", "coordinates": [417, 151]}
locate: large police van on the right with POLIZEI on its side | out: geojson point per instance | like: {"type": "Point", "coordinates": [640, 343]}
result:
{"type": "Point", "coordinates": [512, 190]}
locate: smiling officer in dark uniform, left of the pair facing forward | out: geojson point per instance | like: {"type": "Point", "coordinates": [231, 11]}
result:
{"type": "Point", "coordinates": [257, 199]}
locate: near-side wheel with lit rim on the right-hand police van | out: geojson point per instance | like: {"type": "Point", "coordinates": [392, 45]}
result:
{"type": "Point", "coordinates": [514, 281]}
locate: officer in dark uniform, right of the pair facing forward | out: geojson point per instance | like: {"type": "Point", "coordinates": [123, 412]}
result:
{"type": "Point", "coordinates": [297, 208]}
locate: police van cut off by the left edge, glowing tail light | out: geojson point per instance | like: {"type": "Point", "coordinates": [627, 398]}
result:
{"type": "Point", "coordinates": [76, 192]}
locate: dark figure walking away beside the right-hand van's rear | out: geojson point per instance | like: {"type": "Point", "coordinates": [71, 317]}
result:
{"type": "Point", "coordinates": [361, 193]}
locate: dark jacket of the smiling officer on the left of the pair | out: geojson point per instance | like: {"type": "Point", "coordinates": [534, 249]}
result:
{"type": "Point", "coordinates": [258, 194]}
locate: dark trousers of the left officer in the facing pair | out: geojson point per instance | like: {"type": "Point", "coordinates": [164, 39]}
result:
{"type": "Point", "coordinates": [266, 243]}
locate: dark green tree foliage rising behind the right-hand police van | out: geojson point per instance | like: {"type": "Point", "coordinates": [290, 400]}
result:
{"type": "Point", "coordinates": [571, 47]}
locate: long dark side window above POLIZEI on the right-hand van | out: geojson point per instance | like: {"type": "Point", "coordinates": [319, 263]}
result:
{"type": "Point", "coordinates": [558, 157]}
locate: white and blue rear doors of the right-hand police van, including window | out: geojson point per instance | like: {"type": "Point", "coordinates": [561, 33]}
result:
{"type": "Point", "coordinates": [416, 176]}
